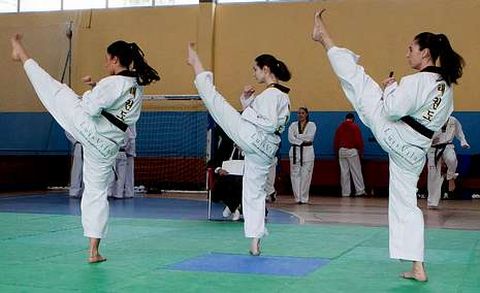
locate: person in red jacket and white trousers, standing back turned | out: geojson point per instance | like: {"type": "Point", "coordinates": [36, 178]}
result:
{"type": "Point", "coordinates": [348, 145]}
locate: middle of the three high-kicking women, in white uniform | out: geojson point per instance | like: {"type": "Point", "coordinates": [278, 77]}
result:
{"type": "Point", "coordinates": [256, 131]}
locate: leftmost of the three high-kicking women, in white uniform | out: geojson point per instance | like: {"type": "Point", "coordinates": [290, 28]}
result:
{"type": "Point", "coordinates": [98, 120]}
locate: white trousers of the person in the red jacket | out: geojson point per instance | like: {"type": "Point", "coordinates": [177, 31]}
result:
{"type": "Point", "coordinates": [350, 164]}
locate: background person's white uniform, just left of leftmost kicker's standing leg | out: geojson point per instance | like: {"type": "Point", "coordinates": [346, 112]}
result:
{"type": "Point", "coordinates": [76, 175]}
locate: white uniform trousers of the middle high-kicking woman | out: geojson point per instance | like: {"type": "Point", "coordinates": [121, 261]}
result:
{"type": "Point", "coordinates": [259, 151]}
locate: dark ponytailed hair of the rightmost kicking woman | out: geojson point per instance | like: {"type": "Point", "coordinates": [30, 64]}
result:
{"type": "Point", "coordinates": [451, 63]}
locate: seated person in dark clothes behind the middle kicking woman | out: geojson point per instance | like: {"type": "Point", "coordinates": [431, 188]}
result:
{"type": "Point", "coordinates": [227, 188]}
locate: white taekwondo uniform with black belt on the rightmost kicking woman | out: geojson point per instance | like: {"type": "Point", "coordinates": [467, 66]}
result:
{"type": "Point", "coordinates": [402, 118]}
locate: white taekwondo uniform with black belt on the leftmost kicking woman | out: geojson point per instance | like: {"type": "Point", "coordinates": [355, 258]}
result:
{"type": "Point", "coordinates": [98, 120]}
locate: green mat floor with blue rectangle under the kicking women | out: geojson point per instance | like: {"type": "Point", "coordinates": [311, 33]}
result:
{"type": "Point", "coordinates": [46, 252]}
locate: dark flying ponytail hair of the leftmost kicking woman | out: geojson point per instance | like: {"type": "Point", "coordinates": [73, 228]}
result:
{"type": "Point", "coordinates": [131, 56]}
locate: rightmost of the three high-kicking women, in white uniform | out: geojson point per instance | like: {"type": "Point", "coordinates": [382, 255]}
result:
{"type": "Point", "coordinates": [403, 118]}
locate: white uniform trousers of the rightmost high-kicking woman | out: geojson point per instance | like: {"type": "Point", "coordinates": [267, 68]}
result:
{"type": "Point", "coordinates": [406, 150]}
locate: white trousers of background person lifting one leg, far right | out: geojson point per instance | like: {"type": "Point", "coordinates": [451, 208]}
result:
{"type": "Point", "coordinates": [435, 178]}
